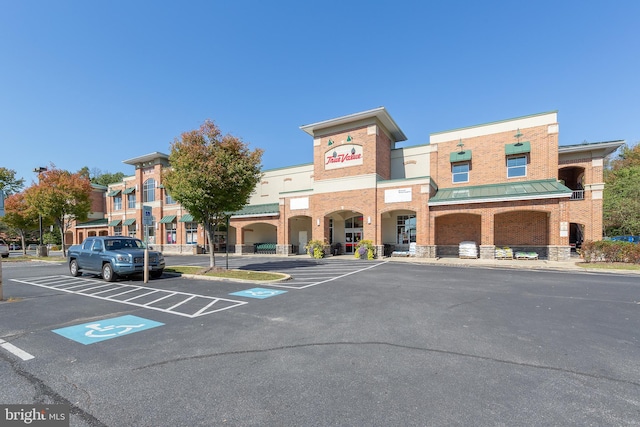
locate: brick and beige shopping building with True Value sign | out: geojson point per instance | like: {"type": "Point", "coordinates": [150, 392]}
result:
{"type": "Point", "coordinates": [506, 183]}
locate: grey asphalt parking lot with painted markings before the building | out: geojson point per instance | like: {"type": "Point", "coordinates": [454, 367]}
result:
{"type": "Point", "coordinates": [346, 343]}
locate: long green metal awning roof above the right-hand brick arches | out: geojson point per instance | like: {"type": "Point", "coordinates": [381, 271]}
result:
{"type": "Point", "coordinates": [523, 190]}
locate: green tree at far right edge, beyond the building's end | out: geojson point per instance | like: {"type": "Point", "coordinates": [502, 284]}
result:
{"type": "Point", "coordinates": [621, 208]}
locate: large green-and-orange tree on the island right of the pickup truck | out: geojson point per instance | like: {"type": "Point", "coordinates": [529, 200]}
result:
{"type": "Point", "coordinates": [212, 175]}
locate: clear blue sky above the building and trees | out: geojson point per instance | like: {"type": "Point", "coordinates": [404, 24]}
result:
{"type": "Point", "coordinates": [93, 83]}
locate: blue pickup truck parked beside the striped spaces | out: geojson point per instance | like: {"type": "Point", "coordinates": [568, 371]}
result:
{"type": "Point", "coordinates": [113, 256]}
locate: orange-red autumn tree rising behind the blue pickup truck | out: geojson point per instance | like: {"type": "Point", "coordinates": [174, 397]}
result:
{"type": "Point", "coordinates": [61, 196]}
